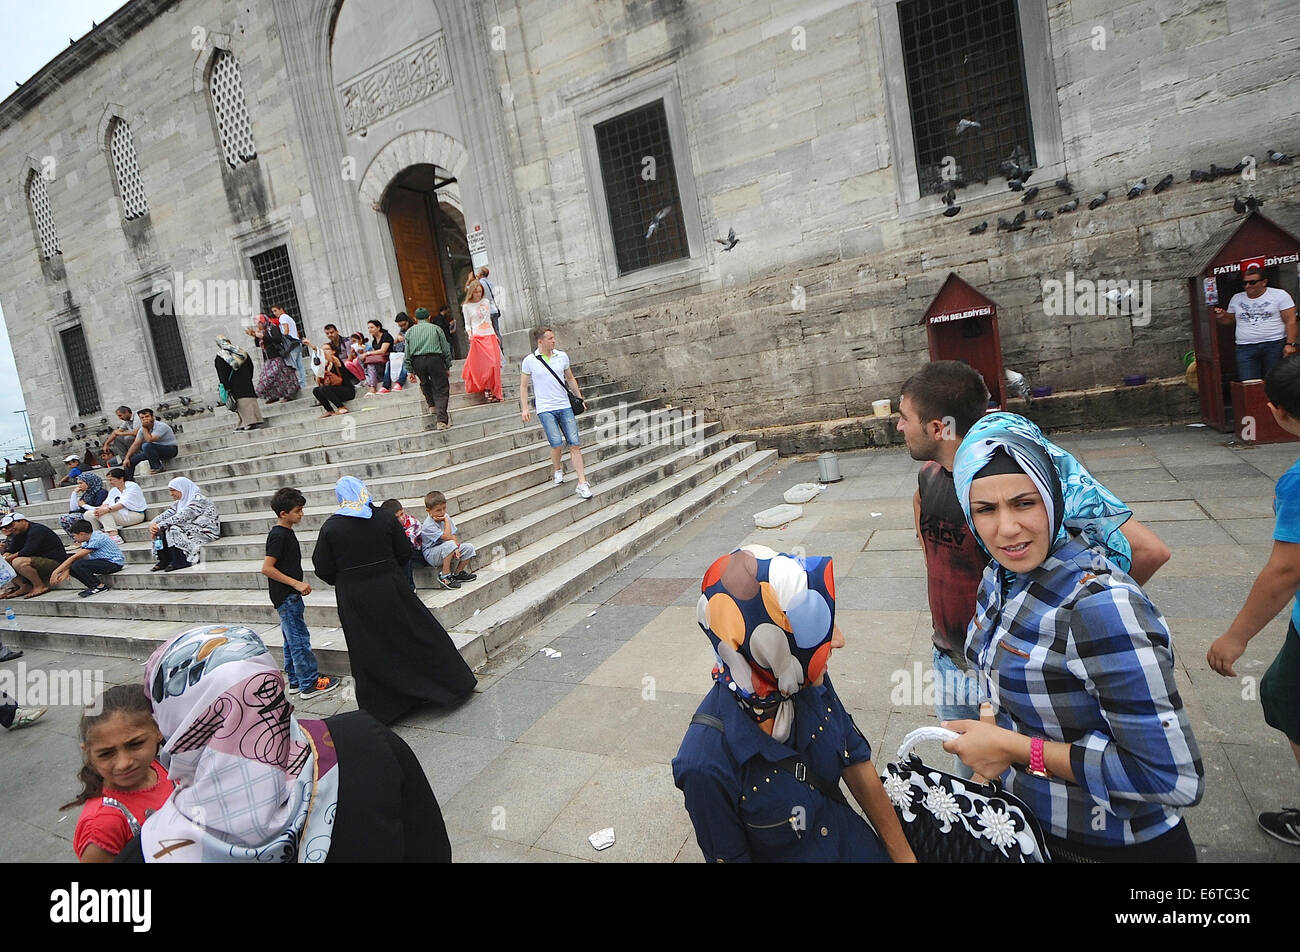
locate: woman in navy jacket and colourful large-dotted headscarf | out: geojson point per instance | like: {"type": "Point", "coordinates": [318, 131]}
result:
{"type": "Point", "coordinates": [762, 760]}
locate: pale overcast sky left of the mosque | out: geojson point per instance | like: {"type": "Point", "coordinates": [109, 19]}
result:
{"type": "Point", "coordinates": [34, 34]}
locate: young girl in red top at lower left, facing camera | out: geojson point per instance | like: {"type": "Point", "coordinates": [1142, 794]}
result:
{"type": "Point", "coordinates": [123, 782]}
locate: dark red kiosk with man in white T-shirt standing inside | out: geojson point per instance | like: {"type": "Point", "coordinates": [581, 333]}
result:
{"type": "Point", "coordinates": [1229, 404]}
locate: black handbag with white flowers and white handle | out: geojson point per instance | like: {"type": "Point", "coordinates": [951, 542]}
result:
{"type": "Point", "coordinates": [947, 819]}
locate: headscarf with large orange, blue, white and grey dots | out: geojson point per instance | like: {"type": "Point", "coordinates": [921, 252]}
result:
{"type": "Point", "coordinates": [770, 618]}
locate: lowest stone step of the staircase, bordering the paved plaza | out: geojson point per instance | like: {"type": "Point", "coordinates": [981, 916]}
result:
{"type": "Point", "coordinates": [476, 639]}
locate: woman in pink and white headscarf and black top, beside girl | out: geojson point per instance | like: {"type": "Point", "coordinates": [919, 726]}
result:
{"type": "Point", "coordinates": [254, 784]}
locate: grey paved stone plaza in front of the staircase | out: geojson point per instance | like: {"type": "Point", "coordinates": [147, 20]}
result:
{"type": "Point", "coordinates": [551, 751]}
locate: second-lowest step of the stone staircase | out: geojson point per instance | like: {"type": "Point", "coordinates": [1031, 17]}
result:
{"type": "Point", "coordinates": [653, 488]}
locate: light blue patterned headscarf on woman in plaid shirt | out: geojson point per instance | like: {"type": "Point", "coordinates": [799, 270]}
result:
{"type": "Point", "coordinates": [1087, 507]}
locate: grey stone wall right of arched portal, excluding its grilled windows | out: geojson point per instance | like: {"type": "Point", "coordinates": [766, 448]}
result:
{"type": "Point", "coordinates": [792, 149]}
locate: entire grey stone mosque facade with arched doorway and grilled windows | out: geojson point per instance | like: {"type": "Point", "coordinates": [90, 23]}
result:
{"type": "Point", "coordinates": [189, 163]}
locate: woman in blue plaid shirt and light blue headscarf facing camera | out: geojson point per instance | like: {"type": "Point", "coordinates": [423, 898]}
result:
{"type": "Point", "coordinates": [1077, 663]}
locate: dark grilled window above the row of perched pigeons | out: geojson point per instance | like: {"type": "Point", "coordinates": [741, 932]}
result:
{"type": "Point", "coordinates": [964, 62]}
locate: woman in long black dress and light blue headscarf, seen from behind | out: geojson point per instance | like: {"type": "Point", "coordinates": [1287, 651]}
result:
{"type": "Point", "coordinates": [402, 657]}
